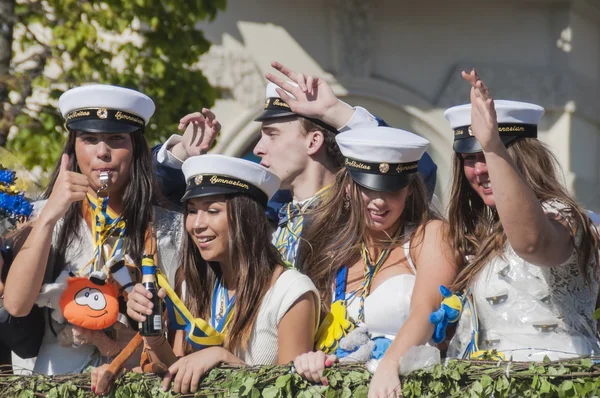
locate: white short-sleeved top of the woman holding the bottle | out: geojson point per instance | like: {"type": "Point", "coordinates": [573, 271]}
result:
{"type": "Point", "coordinates": [262, 346]}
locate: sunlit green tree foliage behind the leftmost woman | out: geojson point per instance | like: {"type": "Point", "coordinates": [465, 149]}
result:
{"type": "Point", "coordinates": [149, 45]}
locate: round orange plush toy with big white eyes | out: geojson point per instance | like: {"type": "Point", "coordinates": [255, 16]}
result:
{"type": "Point", "coordinates": [89, 305]}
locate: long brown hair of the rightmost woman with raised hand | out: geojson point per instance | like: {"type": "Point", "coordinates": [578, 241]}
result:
{"type": "Point", "coordinates": [476, 230]}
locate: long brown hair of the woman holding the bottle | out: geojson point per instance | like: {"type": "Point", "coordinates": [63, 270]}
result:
{"type": "Point", "coordinates": [255, 259]}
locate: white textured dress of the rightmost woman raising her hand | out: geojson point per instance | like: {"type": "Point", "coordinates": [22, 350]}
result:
{"type": "Point", "coordinates": [527, 312]}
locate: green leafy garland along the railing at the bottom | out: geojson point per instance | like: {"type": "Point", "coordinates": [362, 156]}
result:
{"type": "Point", "coordinates": [575, 378]}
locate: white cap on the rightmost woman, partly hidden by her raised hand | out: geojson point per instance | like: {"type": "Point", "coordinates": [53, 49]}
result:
{"type": "Point", "coordinates": [515, 120]}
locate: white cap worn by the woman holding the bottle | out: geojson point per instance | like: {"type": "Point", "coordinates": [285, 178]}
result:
{"type": "Point", "coordinates": [208, 175]}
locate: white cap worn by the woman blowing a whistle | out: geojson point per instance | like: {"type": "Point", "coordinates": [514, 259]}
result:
{"type": "Point", "coordinates": [102, 108]}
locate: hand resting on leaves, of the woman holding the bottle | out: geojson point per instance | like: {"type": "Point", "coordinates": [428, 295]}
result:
{"type": "Point", "coordinates": [189, 369]}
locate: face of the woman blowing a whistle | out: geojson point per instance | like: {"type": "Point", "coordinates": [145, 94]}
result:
{"type": "Point", "coordinates": [97, 152]}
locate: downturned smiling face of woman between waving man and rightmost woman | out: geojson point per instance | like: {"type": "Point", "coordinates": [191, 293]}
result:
{"type": "Point", "coordinates": [384, 209]}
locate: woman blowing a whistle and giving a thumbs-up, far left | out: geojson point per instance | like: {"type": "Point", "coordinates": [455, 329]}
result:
{"type": "Point", "coordinates": [105, 151]}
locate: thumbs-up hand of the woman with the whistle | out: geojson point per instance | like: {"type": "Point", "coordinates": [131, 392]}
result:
{"type": "Point", "coordinates": [69, 187]}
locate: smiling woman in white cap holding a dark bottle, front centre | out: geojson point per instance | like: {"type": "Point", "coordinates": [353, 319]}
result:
{"type": "Point", "coordinates": [231, 274]}
